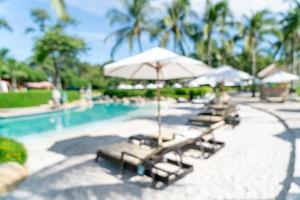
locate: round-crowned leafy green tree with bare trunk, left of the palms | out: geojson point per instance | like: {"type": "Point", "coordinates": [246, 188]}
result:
{"type": "Point", "coordinates": [57, 49]}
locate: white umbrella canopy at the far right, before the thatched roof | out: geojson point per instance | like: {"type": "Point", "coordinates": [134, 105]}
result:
{"type": "Point", "coordinates": [280, 77]}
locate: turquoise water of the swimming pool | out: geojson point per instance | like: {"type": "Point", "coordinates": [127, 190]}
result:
{"type": "Point", "coordinates": [18, 127]}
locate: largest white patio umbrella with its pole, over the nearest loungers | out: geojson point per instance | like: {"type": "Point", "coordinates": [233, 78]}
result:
{"type": "Point", "coordinates": [156, 64]}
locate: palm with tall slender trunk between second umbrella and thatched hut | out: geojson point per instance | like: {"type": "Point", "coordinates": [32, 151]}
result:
{"type": "Point", "coordinates": [256, 27]}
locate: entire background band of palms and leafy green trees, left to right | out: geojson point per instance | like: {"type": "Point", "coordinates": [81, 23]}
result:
{"type": "Point", "coordinates": [213, 35]}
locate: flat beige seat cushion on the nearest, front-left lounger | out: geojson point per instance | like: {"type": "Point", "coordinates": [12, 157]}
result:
{"type": "Point", "coordinates": [115, 151]}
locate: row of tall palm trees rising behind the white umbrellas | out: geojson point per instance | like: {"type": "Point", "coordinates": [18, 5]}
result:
{"type": "Point", "coordinates": [216, 37]}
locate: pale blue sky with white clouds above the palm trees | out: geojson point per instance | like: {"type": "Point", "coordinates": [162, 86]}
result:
{"type": "Point", "coordinates": [93, 25]}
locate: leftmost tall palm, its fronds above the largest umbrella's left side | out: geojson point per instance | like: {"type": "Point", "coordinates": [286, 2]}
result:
{"type": "Point", "coordinates": [132, 23]}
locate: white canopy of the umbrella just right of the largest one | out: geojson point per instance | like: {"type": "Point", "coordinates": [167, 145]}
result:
{"type": "Point", "coordinates": [227, 73]}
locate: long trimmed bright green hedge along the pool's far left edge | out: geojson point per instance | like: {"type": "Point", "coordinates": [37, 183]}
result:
{"type": "Point", "coordinates": [30, 98]}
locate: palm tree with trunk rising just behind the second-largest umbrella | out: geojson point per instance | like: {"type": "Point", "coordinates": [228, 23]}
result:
{"type": "Point", "coordinates": [215, 16]}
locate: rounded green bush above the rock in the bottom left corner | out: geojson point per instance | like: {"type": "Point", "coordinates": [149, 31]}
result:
{"type": "Point", "coordinates": [11, 150]}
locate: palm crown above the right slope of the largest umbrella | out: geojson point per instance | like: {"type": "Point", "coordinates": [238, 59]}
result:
{"type": "Point", "coordinates": [173, 27]}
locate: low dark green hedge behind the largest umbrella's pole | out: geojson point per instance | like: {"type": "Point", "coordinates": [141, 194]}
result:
{"type": "Point", "coordinates": [167, 92]}
